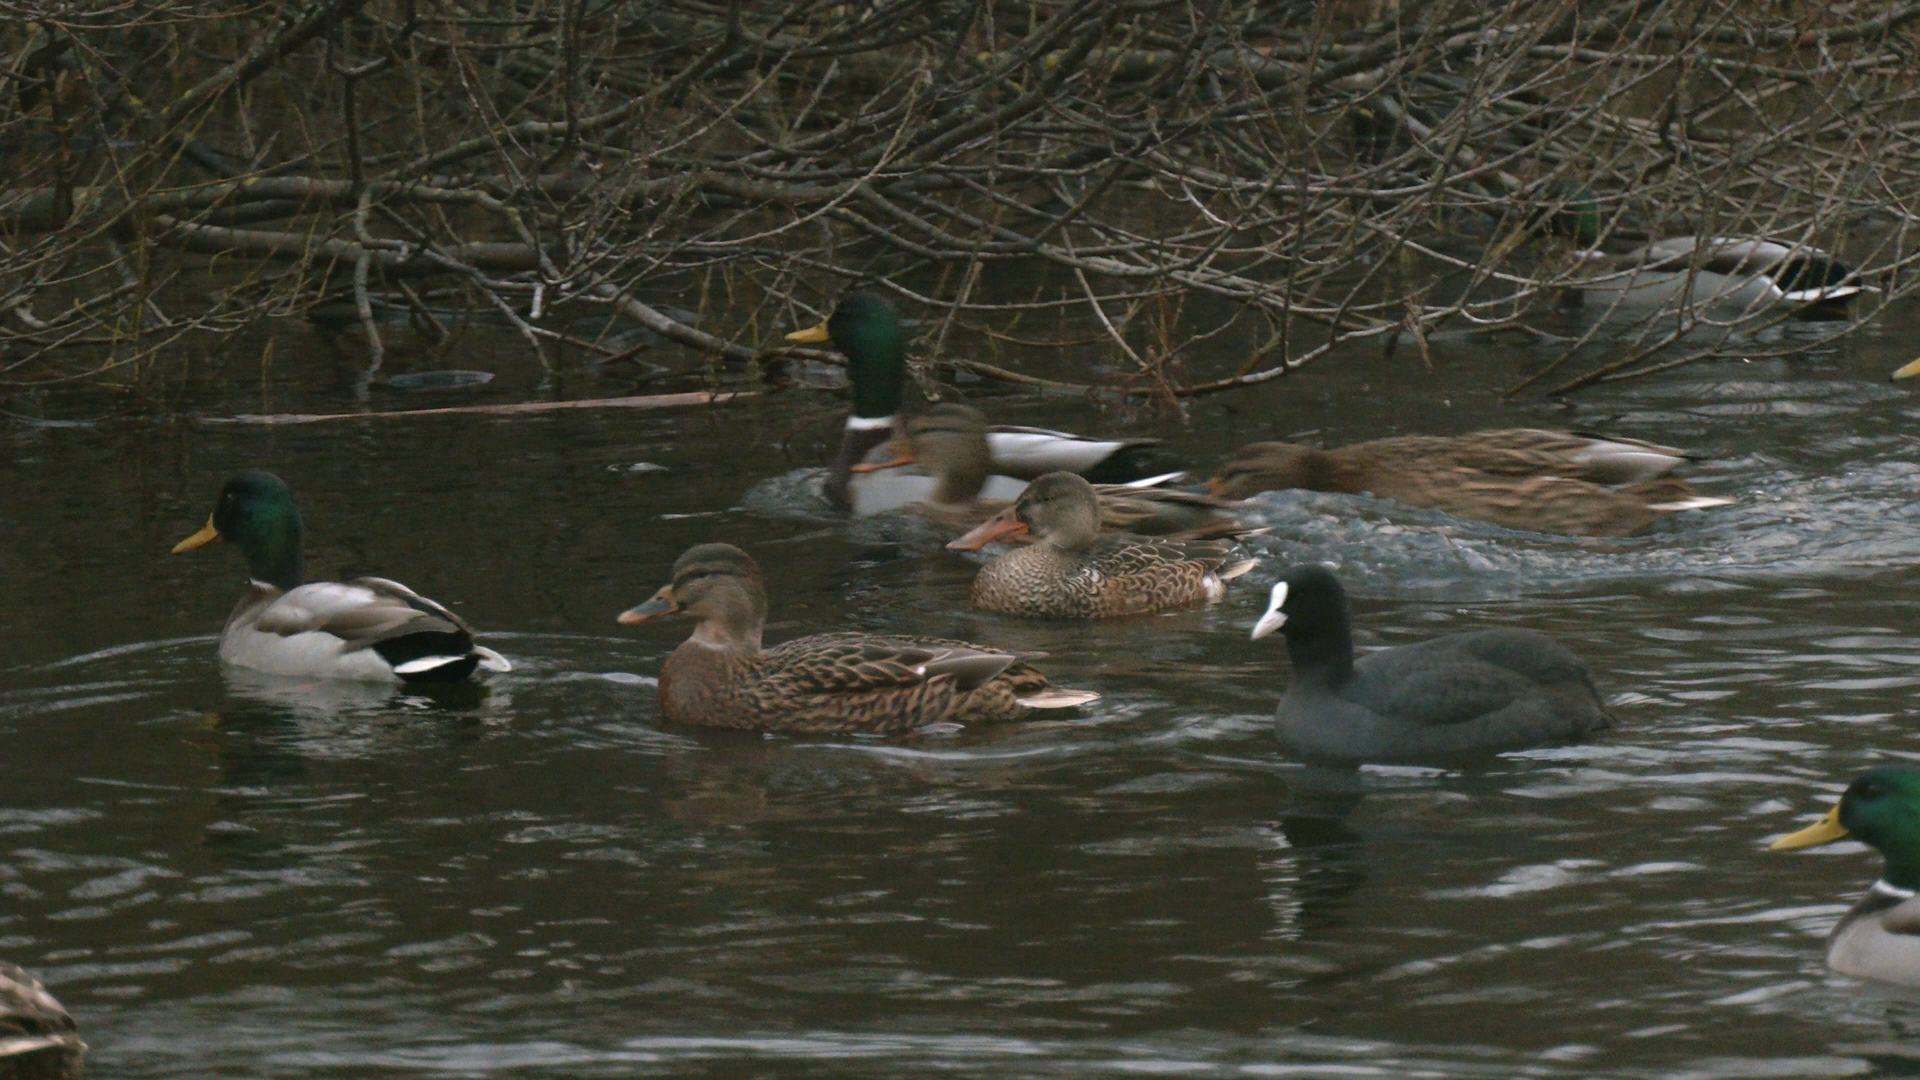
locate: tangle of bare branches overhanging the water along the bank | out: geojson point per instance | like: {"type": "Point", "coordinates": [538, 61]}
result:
{"type": "Point", "coordinates": [1186, 197]}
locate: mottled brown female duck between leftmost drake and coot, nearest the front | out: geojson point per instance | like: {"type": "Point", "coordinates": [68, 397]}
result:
{"type": "Point", "coordinates": [828, 683]}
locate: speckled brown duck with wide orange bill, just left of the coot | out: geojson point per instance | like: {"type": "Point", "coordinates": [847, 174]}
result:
{"type": "Point", "coordinates": [1076, 572]}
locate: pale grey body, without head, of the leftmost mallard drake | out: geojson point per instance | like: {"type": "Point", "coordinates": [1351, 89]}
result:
{"type": "Point", "coordinates": [364, 629]}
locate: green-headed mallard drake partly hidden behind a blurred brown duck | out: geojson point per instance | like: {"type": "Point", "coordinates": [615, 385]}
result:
{"type": "Point", "coordinates": [869, 331]}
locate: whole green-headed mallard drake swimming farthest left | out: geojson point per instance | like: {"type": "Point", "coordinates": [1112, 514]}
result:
{"type": "Point", "coordinates": [368, 629]}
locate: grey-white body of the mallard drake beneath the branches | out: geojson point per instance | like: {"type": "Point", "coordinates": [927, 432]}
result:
{"type": "Point", "coordinates": [1719, 278]}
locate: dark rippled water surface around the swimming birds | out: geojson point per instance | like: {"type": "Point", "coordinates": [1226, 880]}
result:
{"type": "Point", "coordinates": [239, 877]}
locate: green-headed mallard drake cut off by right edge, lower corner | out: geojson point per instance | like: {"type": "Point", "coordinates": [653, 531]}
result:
{"type": "Point", "coordinates": [1881, 937]}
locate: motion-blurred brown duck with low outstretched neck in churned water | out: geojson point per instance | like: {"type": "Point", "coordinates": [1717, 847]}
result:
{"type": "Point", "coordinates": [1543, 481]}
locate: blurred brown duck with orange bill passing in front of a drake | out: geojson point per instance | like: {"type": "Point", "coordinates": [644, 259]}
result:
{"type": "Point", "coordinates": [949, 441]}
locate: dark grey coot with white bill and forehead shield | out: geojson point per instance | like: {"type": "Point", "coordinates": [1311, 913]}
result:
{"type": "Point", "coordinates": [1451, 697]}
